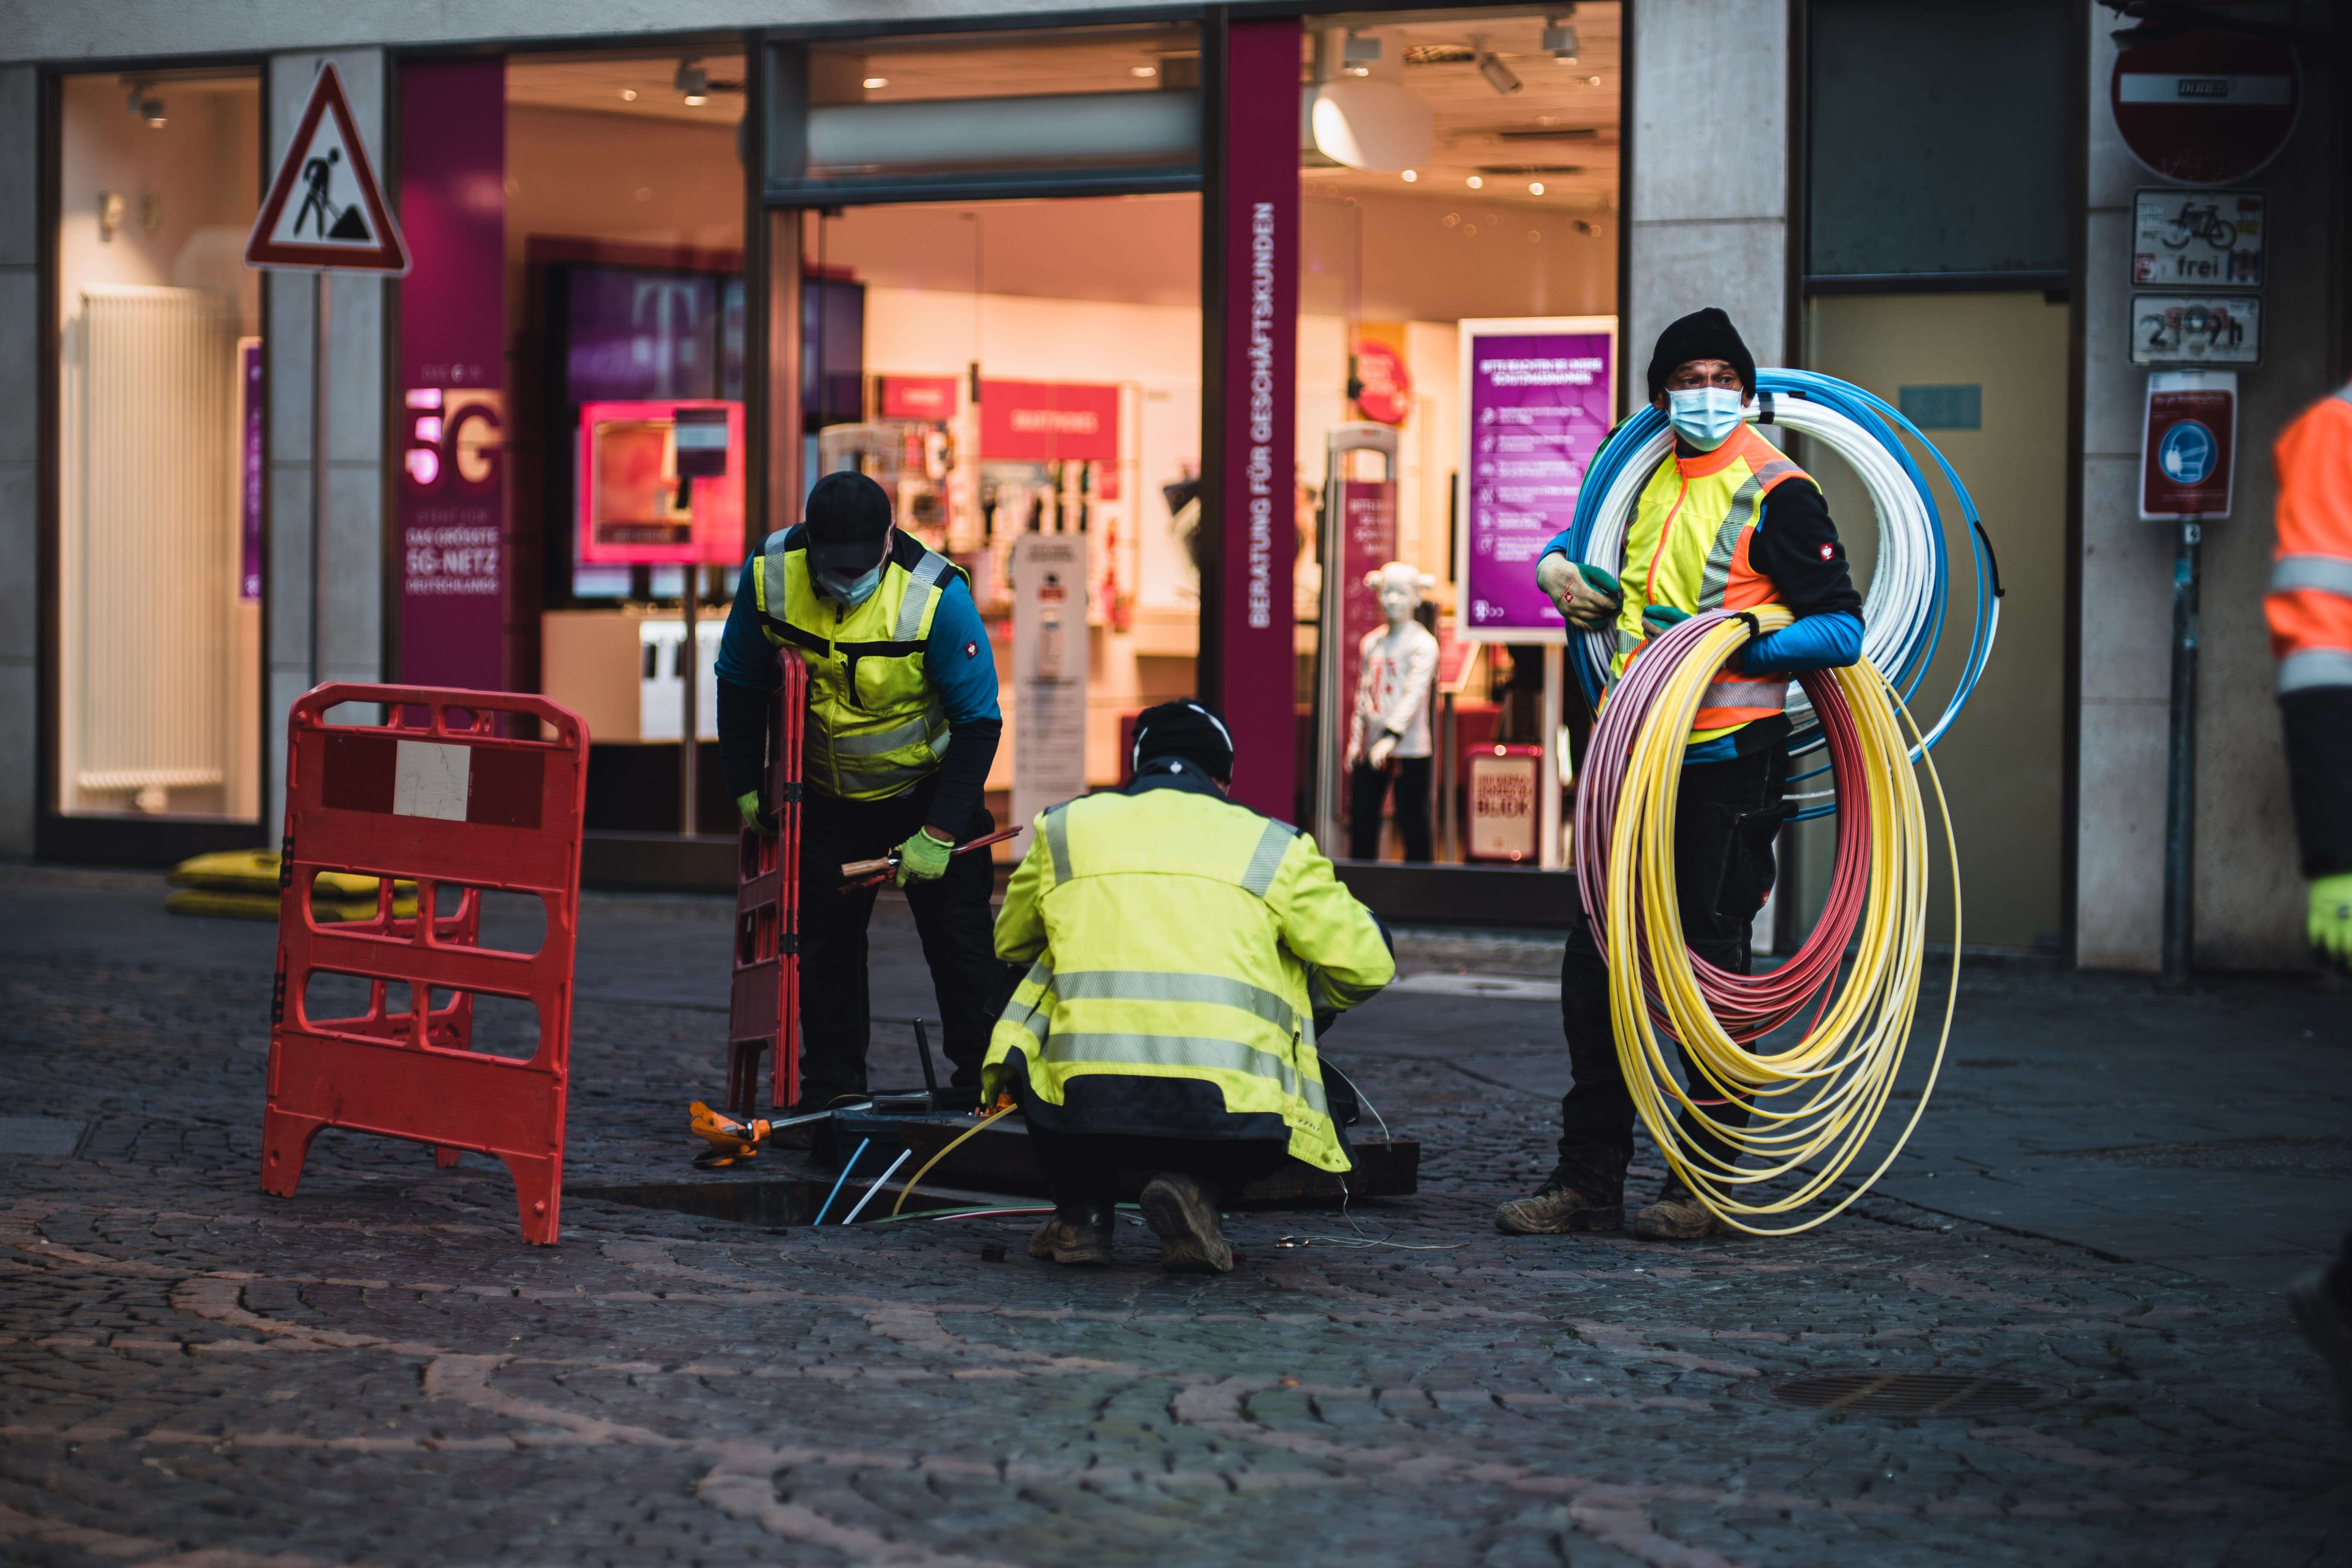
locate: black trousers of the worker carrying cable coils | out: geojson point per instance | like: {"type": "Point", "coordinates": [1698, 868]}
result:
{"type": "Point", "coordinates": [1725, 824]}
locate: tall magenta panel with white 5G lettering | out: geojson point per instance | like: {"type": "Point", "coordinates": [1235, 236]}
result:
{"type": "Point", "coordinates": [453, 375]}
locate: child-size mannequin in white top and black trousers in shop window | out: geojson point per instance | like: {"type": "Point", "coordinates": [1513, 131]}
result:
{"type": "Point", "coordinates": [1389, 735]}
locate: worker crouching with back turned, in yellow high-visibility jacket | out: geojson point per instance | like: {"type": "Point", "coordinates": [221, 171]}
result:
{"type": "Point", "coordinates": [1180, 949]}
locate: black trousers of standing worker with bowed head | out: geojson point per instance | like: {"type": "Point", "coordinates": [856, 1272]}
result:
{"type": "Point", "coordinates": [951, 918]}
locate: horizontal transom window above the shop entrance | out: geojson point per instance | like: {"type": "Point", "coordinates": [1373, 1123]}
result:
{"type": "Point", "coordinates": [1116, 107]}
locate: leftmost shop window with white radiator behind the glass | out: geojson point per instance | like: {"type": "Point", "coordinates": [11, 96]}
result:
{"type": "Point", "coordinates": [159, 448]}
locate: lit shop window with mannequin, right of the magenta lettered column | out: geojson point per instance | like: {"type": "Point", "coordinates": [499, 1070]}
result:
{"type": "Point", "coordinates": [1457, 173]}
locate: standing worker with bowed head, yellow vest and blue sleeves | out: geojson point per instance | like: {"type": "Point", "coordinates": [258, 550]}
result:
{"type": "Point", "coordinates": [897, 746]}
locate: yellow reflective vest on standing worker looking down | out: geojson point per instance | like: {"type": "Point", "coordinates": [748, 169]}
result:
{"type": "Point", "coordinates": [876, 725]}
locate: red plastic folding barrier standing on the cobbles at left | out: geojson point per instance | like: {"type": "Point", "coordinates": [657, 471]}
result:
{"type": "Point", "coordinates": [436, 798]}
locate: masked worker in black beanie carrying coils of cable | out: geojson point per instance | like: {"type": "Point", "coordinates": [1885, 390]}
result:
{"type": "Point", "coordinates": [1728, 523]}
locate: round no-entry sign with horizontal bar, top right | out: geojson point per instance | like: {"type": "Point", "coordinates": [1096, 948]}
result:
{"type": "Point", "coordinates": [2205, 109]}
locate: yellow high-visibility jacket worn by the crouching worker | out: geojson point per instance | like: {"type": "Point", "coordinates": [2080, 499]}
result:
{"type": "Point", "coordinates": [1182, 937]}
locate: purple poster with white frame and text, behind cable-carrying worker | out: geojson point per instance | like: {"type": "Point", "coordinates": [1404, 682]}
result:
{"type": "Point", "coordinates": [1539, 408]}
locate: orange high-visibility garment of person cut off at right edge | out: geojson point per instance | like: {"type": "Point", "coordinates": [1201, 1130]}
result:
{"type": "Point", "coordinates": [2311, 579]}
